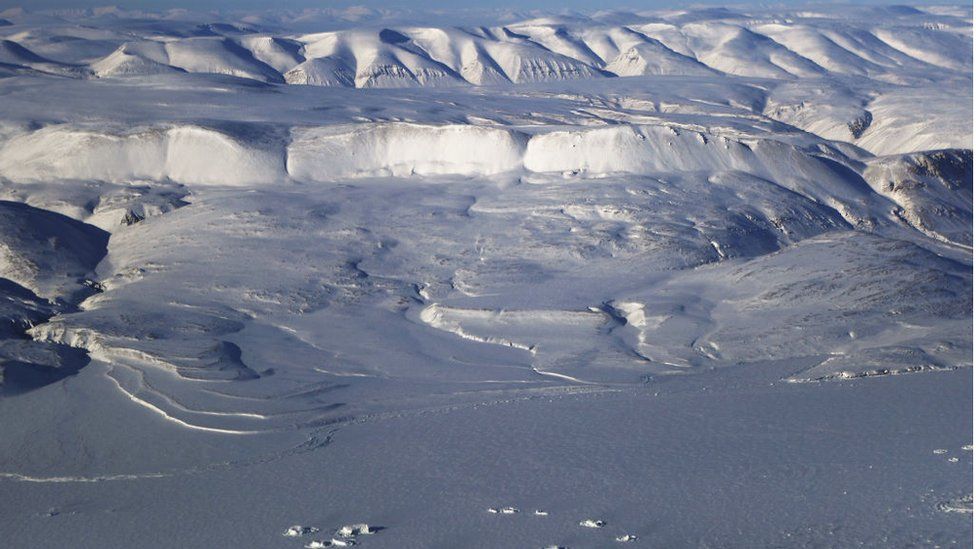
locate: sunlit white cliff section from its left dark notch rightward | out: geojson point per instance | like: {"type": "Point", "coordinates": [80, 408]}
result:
{"type": "Point", "coordinates": [399, 149]}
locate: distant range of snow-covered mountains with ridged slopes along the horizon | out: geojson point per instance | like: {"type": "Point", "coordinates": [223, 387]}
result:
{"type": "Point", "coordinates": [872, 42]}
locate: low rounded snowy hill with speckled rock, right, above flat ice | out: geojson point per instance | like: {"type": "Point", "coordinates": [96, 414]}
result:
{"type": "Point", "coordinates": [863, 331]}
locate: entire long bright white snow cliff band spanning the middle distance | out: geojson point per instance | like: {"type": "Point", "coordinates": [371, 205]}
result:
{"type": "Point", "coordinates": [199, 156]}
